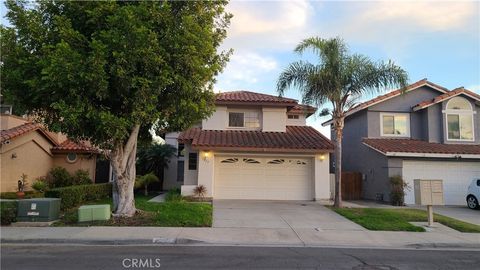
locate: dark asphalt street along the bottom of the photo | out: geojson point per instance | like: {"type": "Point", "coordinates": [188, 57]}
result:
{"type": "Point", "coordinates": [37, 257]}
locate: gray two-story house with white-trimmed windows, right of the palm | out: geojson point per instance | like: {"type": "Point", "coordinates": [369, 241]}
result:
{"type": "Point", "coordinates": [428, 132]}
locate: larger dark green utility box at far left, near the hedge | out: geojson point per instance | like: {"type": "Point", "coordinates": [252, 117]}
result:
{"type": "Point", "coordinates": [38, 209]}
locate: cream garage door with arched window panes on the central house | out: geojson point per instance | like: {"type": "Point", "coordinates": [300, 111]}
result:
{"type": "Point", "coordinates": [263, 178]}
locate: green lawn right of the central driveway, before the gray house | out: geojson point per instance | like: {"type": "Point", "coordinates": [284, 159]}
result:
{"type": "Point", "coordinates": [379, 219]}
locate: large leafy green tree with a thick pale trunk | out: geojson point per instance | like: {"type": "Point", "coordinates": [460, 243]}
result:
{"type": "Point", "coordinates": [104, 71]}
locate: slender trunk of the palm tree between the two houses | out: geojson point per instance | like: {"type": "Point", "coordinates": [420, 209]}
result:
{"type": "Point", "coordinates": [338, 127]}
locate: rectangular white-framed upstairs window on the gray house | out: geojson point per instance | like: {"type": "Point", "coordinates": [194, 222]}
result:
{"type": "Point", "coordinates": [395, 124]}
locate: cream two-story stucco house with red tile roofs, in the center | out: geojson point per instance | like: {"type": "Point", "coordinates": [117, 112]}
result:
{"type": "Point", "coordinates": [254, 146]}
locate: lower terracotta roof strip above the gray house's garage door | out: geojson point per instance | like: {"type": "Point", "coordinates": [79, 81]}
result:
{"type": "Point", "coordinates": [417, 146]}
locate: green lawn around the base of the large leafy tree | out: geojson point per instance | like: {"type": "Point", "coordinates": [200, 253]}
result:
{"type": "Point", "coordinates": [167, 214]}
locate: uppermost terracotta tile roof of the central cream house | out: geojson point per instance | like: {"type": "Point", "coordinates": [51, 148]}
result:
{"type": "Point", "coordinates": [251, 97]}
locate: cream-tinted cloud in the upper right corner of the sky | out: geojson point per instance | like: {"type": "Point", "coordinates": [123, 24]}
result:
{"type": "Point", "coordinates": [381, 21]}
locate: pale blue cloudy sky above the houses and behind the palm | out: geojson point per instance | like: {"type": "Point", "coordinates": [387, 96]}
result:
{"type": "Point", "coordinates": [438, 40]}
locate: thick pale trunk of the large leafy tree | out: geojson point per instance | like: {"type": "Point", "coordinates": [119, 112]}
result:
{"type": "Point", "coordinates": [123, 163]}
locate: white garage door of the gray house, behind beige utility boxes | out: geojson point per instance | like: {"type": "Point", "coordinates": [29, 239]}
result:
{"type": "Point", "coordinates": [456, 177]}
